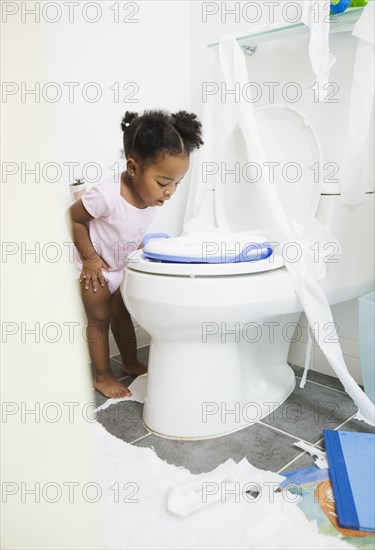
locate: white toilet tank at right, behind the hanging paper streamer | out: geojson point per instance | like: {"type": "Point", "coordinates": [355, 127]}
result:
{"type": "Point", "coordinates": [351, 273]}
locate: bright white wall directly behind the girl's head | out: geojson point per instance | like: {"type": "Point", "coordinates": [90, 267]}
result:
{"type": "Point", "coordinates": [140, 63]}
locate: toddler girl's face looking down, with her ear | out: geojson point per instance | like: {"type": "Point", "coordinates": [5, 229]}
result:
{"type": "Point", "coordinates": [158, 182]}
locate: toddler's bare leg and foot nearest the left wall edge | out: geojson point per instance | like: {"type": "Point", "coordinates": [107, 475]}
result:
{"type": "Point", "coordinates": [98, 311]}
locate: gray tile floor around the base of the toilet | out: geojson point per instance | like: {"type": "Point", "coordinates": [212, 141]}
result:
{"type": "Point", "coordinates": [268, 444]}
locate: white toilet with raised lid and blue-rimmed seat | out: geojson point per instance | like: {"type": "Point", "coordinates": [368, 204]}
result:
{"type": "Point", "coordinates": [220, 332]}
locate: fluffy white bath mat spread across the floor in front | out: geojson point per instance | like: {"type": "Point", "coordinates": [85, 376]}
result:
{"type": "Point", "coordinates": [136, 484]}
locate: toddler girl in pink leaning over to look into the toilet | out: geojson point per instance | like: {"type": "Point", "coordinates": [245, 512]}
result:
{"type": "Point", "coordinates": [109, 222]}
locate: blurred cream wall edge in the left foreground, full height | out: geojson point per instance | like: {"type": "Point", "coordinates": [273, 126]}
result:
{"type": "Point", "coordinates": [42, 370]}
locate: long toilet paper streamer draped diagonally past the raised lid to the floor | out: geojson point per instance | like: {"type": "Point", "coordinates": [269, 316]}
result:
{"type": "Point", "coordinates": [313, 300]}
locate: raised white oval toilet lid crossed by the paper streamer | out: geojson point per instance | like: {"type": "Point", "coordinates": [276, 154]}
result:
{"type": "Point", "coordinates": [294, 164]}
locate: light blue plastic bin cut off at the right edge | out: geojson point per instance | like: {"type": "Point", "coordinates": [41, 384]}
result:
{"type": "Point", "coordinates": [366, 343]}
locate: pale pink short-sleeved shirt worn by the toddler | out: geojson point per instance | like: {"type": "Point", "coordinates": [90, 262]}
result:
{"type": "Point", "coordinates": [118, 227]}
